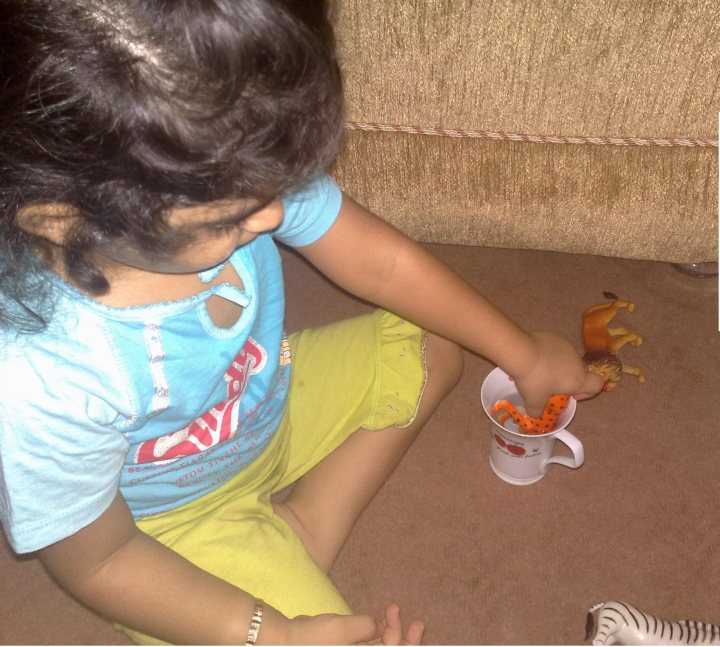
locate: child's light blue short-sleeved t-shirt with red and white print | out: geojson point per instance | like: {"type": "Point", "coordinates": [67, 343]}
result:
{"type": "Point", "coordinates": [156, 400]}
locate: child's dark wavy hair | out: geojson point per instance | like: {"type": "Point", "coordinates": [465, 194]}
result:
{"type": "Point", "coordinates": [124, 109]}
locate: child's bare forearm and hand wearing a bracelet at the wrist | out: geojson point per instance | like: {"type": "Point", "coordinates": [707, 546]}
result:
{"type": "Point", "coordinates": [123, 574]}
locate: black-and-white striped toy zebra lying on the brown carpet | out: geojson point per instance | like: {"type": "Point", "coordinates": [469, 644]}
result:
{"type": "Point", "coordinates": [619, 623]}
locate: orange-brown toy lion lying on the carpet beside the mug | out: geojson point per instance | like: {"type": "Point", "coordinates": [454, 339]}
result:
{"type": "Point", "coordinates": [601, 342]}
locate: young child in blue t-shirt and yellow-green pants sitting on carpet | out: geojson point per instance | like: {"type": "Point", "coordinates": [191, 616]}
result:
{"type": "Point", "coordinates": [153, 153]}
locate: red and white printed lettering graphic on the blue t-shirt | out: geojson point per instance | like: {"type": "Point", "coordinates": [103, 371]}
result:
{"type": "Point", "coordinates": [215, 426]}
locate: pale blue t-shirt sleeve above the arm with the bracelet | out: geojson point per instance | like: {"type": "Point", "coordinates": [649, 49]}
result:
{"type": "Point", "coordinates": [59, 464]}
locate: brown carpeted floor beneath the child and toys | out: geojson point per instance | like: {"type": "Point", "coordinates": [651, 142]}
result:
{"type": "Point", "coordinates": [485, 562]}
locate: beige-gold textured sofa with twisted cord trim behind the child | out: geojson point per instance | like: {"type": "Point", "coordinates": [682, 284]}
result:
{"type": "Point", "coordinates": [585, 126]}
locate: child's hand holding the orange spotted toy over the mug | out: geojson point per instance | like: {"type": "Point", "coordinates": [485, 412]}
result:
{"type": "Point", "coordinates": [557, 369]}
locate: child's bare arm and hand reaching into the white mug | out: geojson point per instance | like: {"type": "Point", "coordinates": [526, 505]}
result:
{"type": "Point", "coordinates": [376, 262]}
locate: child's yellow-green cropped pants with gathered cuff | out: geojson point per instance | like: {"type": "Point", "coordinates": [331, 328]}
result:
{"type": "Point", "coordinates": [367, 372]}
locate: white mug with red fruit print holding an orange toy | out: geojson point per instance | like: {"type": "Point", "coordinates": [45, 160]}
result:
{"type": "Point", "coordinates": [522, 459]}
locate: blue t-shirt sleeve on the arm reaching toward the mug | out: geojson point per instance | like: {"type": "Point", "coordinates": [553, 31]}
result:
{"type": "Point", "coordinates": [310, 211]}
